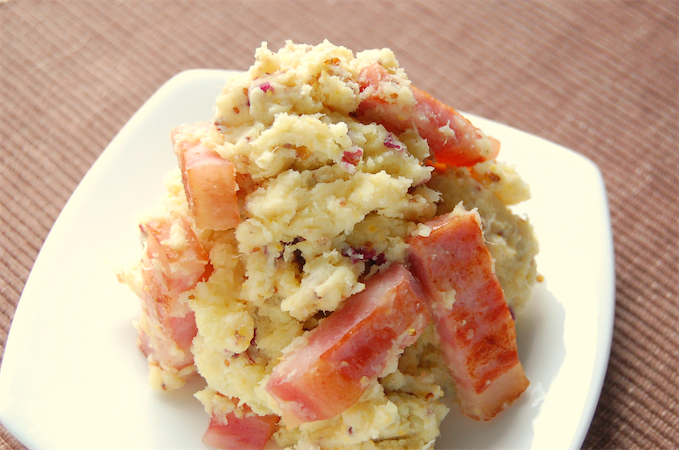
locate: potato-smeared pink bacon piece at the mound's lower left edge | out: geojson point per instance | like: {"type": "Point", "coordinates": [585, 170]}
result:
{"type": "Point", "coordinates": [167, 326]}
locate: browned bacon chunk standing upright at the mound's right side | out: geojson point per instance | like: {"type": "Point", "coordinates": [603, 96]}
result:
{"type": "Point", "coordinates": [477, 333]}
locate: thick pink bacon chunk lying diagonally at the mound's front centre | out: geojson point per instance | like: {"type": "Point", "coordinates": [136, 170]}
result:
{"type": "Point", "coordinates": [350, 348]}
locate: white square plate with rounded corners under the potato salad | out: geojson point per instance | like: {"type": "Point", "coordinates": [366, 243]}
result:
{"type": "Point", "coordinates": [73, 378]}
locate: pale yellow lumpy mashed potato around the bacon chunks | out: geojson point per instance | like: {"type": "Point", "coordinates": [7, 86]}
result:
{"type": "Point", "coordinates": [326, 201]}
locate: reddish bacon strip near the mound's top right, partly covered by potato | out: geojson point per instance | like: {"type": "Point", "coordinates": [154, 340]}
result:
{"type": "Point", "coordinates": [452, 138]}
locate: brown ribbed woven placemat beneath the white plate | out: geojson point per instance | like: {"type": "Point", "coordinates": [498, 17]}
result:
{"type": "Point", "coordinates": [601, 78]}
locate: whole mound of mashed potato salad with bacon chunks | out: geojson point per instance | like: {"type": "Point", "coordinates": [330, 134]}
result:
{"type": "Point", "coordinates": [333, 253]}
